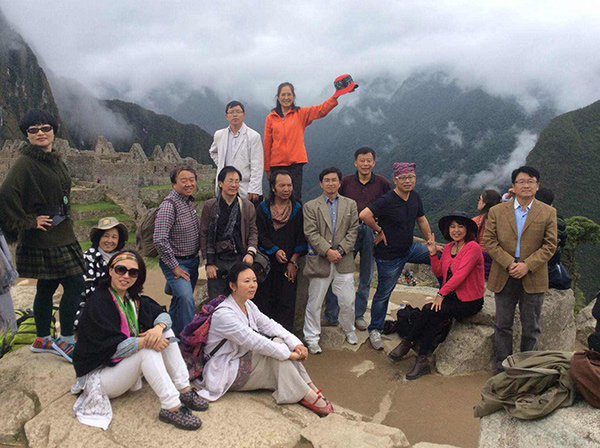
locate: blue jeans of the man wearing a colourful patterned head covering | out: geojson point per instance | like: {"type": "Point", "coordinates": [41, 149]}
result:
{"type": "Point", "coordinates": [388, 272]}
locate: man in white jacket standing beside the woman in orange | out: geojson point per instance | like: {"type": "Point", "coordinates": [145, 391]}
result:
{"type": "Point", "coordinates": [240, 147]}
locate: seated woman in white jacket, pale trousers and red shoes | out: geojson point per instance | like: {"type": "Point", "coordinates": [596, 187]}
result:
{"type": "Point", "coordinates": [249, 359]}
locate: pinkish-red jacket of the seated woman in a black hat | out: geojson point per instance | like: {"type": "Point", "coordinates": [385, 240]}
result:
{"type": "Point", "coordinates": [467, 271]}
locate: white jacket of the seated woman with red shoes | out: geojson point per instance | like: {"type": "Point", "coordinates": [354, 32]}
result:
{"type": "Point", "coordinates": [242, 334]}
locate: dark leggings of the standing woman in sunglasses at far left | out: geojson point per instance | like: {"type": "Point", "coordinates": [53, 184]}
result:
{"type": "Point", "coordinates": [42, 304]}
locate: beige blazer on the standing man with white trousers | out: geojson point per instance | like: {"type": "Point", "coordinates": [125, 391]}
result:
{"type": "Point", "coordinates": [318, 232]}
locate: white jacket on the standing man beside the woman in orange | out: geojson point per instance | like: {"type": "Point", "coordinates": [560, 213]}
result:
{"type": "Point", "coordinates": [248, 158]}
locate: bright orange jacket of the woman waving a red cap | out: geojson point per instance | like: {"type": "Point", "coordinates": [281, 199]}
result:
{"type": "Point", "coordinates": [284, 137]}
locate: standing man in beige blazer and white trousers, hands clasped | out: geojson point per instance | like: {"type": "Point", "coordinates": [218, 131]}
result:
{"type": "Point", "coordinates": [330, 227]}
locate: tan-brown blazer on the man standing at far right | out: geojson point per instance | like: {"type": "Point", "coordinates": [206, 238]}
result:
{"type": "Point", "coordinates": [538, 244]}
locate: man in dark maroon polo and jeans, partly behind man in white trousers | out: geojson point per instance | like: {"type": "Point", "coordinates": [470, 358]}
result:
{"type": "Point", "coordinates": [364, 187]}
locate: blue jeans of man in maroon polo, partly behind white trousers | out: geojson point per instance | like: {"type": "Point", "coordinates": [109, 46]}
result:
{"type": "Point", "coordinates": [364, 244]}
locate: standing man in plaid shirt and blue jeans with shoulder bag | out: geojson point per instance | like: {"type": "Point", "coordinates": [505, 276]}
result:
{"type": "Point", "coordinates": [177, 243]}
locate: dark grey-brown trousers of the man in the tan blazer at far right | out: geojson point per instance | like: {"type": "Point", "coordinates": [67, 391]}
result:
{"type": "Point", "coordinates": [530, 307]}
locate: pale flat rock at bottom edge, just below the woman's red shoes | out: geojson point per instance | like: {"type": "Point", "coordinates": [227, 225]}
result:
{"type": "Point", "coordinates": [335, 431]}
